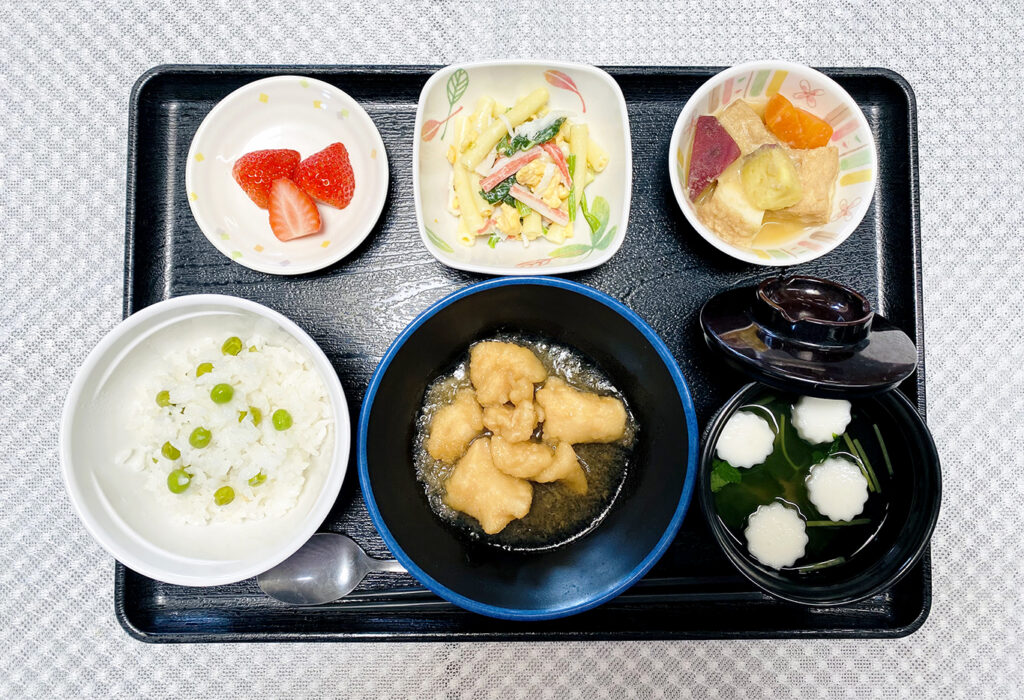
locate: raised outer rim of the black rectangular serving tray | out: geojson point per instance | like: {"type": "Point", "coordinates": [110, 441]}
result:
{"type": "Point", "coordinates": [129, 298]}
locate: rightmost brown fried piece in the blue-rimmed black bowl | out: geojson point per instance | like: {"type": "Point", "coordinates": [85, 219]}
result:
{"type": "Point", "coordinates": [575, 417]}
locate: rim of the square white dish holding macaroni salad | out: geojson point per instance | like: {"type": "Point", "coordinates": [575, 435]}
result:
{"type": "Point", "coordinates": [496, 270]}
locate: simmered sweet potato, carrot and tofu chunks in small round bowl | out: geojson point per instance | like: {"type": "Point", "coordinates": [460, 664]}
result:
{"type": "Point", "coordinates": [761, 173]}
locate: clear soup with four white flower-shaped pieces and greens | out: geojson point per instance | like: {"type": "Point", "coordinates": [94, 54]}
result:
{"type": "Point", "coordinates": [795, 480]}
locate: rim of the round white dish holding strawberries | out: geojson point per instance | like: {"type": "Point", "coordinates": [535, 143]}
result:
{"type": "Point", "coordinates": [376, 189]}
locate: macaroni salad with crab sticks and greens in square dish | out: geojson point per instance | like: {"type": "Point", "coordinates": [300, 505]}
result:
{"type": "Point", "coordinates": [519, 172]}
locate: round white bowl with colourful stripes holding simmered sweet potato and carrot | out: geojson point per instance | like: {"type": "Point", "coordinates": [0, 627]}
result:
{"type": "Point", "coordinates": [807, 90]}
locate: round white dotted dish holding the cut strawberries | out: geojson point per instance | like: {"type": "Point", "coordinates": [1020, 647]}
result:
{"type": "Point", "coordinates": [284, 112]}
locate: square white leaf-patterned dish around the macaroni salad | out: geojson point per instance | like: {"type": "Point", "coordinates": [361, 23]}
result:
{"type": "Point", "coordinates": [584, 91]}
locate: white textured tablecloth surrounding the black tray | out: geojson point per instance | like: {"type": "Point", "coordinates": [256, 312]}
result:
{"type": "Point", "coordinates": [66, 73]}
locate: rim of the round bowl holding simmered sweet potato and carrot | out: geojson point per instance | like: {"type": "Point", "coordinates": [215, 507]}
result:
{"type": "Point", "coordinates": [747, 255]}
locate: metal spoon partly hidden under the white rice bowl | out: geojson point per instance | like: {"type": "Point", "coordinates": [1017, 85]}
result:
{"type": "Point", "coordinates": [326, 568]}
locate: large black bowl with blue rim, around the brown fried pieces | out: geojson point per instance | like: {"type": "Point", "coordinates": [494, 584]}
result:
{"type": "Point", "coordinates": [646, 515]}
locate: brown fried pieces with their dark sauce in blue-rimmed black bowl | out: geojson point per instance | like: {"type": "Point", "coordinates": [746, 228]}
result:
{"type": "Point", "coordinates": [525, 442]}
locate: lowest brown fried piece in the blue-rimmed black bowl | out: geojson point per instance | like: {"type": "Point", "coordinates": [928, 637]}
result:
{"type": "Point", "coordinates": [478, 489]}
